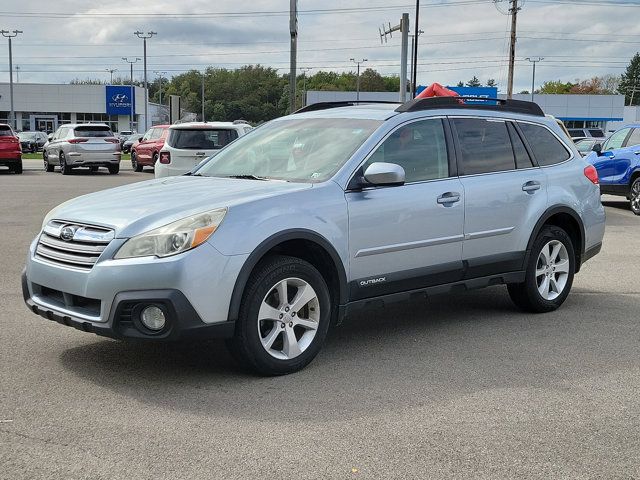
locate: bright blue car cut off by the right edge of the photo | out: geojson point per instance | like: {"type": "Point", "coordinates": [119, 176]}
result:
{"type": "Point", "coordinates": [618, 164]}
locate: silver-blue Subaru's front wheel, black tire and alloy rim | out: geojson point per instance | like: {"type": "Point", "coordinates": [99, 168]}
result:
{"type": "Point", "coordinates": [284, 317]}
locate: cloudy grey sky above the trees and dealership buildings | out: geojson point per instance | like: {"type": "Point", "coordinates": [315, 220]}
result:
{"type": "Point", "coordinates": [69, 39]}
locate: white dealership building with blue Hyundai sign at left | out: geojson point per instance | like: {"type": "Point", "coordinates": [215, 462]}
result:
{"type": "Point", "coordinates": [45, 107]}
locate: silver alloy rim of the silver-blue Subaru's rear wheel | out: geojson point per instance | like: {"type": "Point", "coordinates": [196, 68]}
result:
{"type": "Point", "coordinates": [552, 270]}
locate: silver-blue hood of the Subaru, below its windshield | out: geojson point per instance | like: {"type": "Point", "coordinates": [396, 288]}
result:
{"type": "Point", "coordinates": [142, 206]}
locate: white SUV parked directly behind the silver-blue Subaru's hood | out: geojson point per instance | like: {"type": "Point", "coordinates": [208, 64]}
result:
{"type": "Point", "coordinates": [190, 143]}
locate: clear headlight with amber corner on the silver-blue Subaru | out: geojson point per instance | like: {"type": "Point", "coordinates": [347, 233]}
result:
{"type": "Point", "coordinates": [177, 237]}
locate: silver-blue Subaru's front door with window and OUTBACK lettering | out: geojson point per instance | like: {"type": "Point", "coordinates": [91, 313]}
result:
{"type": "Point", "coordinates": [409, 236]}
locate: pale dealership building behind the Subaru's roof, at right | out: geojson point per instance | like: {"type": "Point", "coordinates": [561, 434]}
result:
{"type": "Point", "coordinates": [576, 111]}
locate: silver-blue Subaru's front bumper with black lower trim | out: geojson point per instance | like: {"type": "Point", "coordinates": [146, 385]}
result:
{"type": "Point", "coordinates": [194, 287]}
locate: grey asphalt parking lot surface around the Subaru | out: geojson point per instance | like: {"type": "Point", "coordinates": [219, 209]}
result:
{"type": "Point", "coordinates": [464, 387]}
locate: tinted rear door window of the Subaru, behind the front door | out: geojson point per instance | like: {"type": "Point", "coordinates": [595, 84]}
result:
{"type": "Point", "coordinates": [485, 145]}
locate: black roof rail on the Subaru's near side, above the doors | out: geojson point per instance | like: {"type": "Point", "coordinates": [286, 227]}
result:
{"type": "Point", "coordinates": [503, 105]}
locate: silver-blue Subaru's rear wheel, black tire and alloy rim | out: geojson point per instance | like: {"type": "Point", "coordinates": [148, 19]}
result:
{"type": "Point", "coordinates": [549, 273]}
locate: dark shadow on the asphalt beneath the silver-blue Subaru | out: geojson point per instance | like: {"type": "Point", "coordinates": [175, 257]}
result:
{"type": "Point", "coordinates": [395, 358]}
